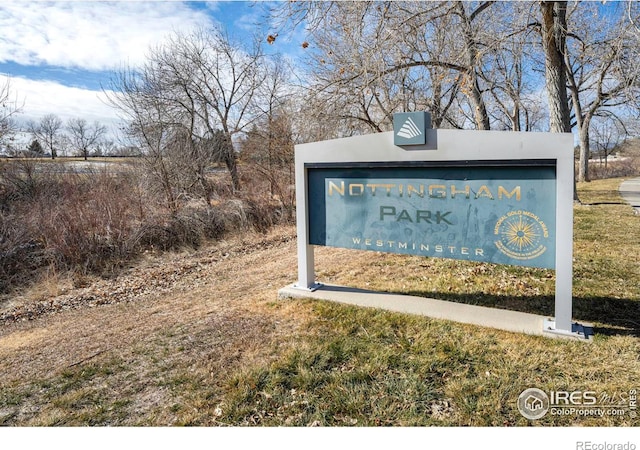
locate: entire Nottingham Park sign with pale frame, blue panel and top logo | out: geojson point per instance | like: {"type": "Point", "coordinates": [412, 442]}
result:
{"type": "Point", "coordinates": [486, 196]}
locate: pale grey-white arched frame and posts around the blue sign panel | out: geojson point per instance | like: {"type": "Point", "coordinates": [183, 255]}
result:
{"type": "Point", "coordinates": [452, 145]}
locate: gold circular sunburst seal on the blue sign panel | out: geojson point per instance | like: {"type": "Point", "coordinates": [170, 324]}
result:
{"type": "Point", "coordinates": [521, 235]}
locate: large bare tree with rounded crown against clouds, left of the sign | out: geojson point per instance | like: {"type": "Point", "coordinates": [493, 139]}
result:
{"type": "Point", "coordinates": [197, 85]}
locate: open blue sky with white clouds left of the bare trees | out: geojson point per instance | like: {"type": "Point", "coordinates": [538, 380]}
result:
{"type": "Point", "coordinates": [59, 54]}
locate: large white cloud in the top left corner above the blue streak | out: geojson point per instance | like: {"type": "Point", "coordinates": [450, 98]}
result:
{"type": "Point", "coordinates": [90, 35]}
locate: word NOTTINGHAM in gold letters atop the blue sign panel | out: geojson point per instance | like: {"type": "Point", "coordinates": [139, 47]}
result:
{"type": "Point", "coordinates": [421, 190]}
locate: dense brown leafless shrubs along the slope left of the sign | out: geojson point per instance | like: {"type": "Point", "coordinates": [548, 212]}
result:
{"type": "Point", "coordinates": [95, 222]}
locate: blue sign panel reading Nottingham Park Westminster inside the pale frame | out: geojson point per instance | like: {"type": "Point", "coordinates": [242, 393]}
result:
{"type": "Point", "coordinates": [503, 215]}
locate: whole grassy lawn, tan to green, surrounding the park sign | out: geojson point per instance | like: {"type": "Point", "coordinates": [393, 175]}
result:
{"type": "Point", "coordinates": [219, 349]}
